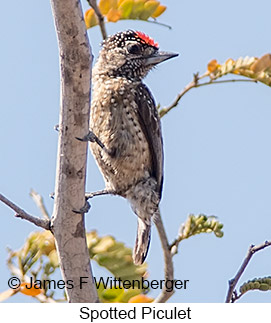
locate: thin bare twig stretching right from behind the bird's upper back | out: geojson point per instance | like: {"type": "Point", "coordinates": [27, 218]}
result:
{"type": "Point", "coordinates": [195, 84]}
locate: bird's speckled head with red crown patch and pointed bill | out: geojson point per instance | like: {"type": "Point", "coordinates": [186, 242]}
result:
{"type": "Point", "coordinates": [130, 54]}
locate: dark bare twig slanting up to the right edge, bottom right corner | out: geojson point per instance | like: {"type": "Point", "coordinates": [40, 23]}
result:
{"type": "Point", "coordinates": [233, 282]}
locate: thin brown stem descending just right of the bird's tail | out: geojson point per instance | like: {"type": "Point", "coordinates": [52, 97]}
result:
{"type": "Point", "coordinates": [169, 271]}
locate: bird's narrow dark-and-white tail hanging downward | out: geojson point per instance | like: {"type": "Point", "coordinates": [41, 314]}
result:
{"type": "Point", "coordinates": [142, 242]}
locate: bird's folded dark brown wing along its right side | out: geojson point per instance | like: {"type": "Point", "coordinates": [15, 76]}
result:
{"type": "Point", "coordinates": [151, 126]}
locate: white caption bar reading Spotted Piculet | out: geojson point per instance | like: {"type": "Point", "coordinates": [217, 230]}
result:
{"type": "Point", "coordinates": [196, 313]}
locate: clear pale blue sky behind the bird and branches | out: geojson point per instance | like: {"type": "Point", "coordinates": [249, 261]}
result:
{"type": "Point", "coordinates": [217, 141]}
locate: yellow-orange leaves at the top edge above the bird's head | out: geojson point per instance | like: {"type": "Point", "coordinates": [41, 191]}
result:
{"type": "Point", "coordinates": [115, 10]}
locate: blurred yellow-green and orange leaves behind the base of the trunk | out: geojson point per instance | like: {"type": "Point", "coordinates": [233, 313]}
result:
{"type": "Point", "coordinates": [38, 260]}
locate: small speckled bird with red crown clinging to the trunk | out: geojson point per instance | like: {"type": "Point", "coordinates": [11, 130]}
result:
{"type": "Point", "coordinates": [125, 130]}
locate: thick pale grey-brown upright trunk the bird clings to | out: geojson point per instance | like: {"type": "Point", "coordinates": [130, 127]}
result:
{"type": "Point", "coordinates": [68, 227]}
